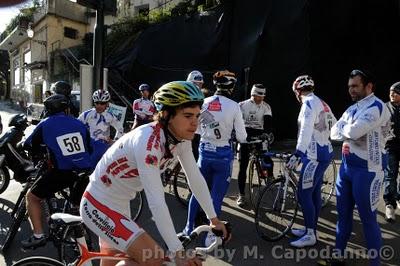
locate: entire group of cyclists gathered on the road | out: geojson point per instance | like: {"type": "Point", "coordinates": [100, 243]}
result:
{"type": "Point", "coordinates": [164, 129]}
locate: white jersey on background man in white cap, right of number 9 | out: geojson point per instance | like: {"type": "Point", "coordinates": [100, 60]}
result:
{"type": "Point", "coordinates": [253, 114]}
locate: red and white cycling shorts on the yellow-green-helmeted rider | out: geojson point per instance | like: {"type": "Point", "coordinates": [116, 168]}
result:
{"type": "Point", "coordinates": [116, 229]}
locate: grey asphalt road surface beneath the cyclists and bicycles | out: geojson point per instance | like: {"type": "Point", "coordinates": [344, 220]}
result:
{"type": "Point", "coordinates": [246, 247]}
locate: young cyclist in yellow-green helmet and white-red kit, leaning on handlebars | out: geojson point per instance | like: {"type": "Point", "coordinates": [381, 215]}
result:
{"type": "Point", "coordinates": [135, 162]}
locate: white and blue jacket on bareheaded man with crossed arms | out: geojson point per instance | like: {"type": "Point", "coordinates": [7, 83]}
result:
{"type": "Point", "coordinates": [364, 129]}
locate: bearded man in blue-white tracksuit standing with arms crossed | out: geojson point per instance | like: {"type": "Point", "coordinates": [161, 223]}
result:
{"type": "Point", "coordinates": [364, 128]}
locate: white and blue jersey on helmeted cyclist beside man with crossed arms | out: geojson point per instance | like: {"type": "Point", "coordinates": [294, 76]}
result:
{"type": "Point", "coordinates": [314, 123]}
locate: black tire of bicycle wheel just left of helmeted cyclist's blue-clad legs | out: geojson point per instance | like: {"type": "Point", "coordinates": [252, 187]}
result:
{"type": "Point", "coordinates": [266, 191]}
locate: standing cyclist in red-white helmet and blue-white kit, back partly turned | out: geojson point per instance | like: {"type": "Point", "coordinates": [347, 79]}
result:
{"type": "Point", "coordinates": [315, 152]}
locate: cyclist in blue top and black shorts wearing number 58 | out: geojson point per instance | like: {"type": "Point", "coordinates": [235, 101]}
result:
{"type": "Point", "coordinates": [69, 143]}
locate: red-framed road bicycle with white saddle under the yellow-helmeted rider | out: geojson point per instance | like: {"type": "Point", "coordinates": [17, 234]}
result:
{"type": "Point", "coordinates": [74, 230]}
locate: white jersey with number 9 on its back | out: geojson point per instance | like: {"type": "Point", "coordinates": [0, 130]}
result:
{"type": "Point", "coordinates": [219, 117]}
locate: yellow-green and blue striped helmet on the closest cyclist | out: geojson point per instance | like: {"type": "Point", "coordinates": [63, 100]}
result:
{"type": "Point", "coordinates": [176, 93]}
